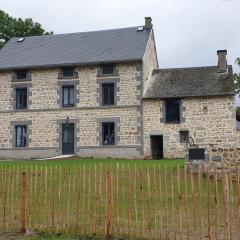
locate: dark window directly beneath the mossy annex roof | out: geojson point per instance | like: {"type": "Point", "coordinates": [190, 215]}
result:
{"type": "Point", "coordinates": [172, 110]}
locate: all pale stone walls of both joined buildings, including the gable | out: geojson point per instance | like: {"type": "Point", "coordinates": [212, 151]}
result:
{"type": "Point", "coordinates": [209, 120]}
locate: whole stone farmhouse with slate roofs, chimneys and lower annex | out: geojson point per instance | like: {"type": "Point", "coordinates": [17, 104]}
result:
{"type": "Point", "coordinates": [102, 94]}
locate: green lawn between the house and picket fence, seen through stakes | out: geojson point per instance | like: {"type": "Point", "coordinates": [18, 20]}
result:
{"type": "Point", "coordinates": [78, 176]}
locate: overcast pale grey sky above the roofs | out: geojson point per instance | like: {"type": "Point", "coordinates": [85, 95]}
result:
{"type": "Point", "coordinates": [188, 32]}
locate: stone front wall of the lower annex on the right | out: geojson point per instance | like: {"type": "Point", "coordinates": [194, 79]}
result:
{"type": "Point", "coordinates": [208, 120]}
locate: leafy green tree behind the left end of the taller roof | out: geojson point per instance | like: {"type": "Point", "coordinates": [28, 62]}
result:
{"type": "Point", "coordinates": [13, 27]}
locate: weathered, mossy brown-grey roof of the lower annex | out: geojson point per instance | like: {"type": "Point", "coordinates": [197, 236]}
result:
{"type": "Point", "coordinates": [189, 82]}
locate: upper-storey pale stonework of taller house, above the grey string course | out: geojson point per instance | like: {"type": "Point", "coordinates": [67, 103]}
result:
{"type": "Point", "coordinates": [45, 87]}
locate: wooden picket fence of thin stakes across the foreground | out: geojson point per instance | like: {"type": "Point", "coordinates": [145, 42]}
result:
{"type": "Point", "coordinates": [121, 200]}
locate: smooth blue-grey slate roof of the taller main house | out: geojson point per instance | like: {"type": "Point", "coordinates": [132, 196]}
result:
{"type": "Point", "coordinates": [116, 45]}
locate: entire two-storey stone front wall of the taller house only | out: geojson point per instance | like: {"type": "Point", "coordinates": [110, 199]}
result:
{"type": "Point", "coordinates": [45, 113]}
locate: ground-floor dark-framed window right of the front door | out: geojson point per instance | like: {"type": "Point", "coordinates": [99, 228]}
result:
{"type": "Point", "coordinates": [108, 130]}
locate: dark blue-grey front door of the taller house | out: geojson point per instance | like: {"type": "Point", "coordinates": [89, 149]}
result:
{"type": "Point", "coordinates": [68, 138]}
